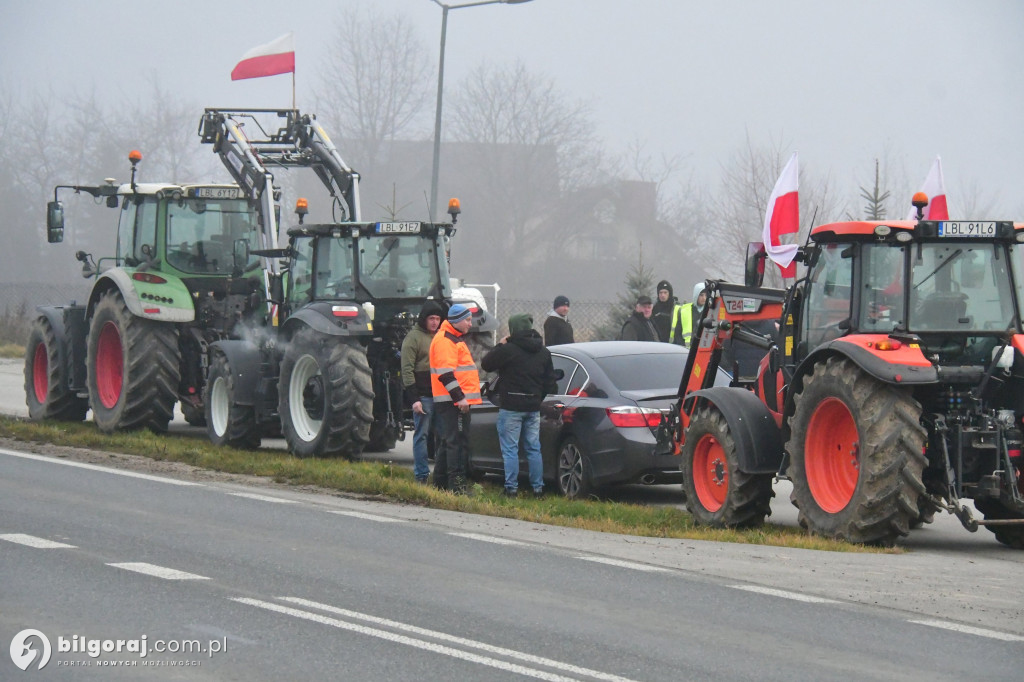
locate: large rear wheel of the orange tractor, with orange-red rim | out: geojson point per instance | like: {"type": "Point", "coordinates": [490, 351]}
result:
{"type": "Point", "coordinates": [857, 455]}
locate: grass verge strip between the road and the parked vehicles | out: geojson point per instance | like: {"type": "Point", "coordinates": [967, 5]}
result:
{"type": "Point", "coordinates": [396, 484]}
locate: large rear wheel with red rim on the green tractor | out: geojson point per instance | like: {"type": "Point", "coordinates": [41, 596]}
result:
{"type": "Point", "coordinates": [133, 366]}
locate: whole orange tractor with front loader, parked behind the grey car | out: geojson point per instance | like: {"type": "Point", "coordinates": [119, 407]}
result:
{"type": "Point", "coordinates": [886, 385]}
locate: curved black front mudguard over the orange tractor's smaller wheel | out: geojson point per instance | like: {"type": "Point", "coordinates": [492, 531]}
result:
{"type": "Point", "coordinates": [759, 443]}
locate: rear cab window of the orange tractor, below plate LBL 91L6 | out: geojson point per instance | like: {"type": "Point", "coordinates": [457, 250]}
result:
{"type": "Point", "coordinates": [959, 287]}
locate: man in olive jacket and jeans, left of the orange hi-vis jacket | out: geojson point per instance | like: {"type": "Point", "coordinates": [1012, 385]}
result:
{"type": "Point", "coordinates": [416, 379]}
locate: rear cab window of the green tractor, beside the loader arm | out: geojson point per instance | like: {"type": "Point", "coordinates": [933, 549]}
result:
{"type": "Point", "coordinates": [202, 233]}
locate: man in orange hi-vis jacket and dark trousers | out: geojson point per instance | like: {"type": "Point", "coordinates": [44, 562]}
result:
{"type": "Point", "coordinates": [456, 386]}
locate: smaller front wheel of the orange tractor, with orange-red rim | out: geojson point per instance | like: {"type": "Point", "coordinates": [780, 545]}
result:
{"type": "Point", "coordinates": [718, 494]}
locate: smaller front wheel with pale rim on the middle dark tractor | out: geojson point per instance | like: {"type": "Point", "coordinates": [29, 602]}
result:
{"type": "Point", "coordinates": [228, 423]}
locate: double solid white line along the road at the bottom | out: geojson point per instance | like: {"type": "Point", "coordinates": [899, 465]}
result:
{"type": "Point", "coordinates": [429, 647]}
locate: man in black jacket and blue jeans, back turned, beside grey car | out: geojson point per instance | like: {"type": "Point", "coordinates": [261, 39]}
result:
{"type": "Point", "coordinates": [526, 376]}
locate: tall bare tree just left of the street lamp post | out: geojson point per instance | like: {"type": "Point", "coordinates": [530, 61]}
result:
{"type": "Point", "coordinates": [375, 83]}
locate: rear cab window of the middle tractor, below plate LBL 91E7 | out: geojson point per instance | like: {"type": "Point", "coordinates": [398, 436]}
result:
{"type": "Point", "coordinates": [400, 267]}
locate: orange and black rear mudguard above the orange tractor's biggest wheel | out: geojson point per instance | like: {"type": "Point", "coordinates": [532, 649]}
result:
{"type": "Point", "coordinates": [906, 366]}
